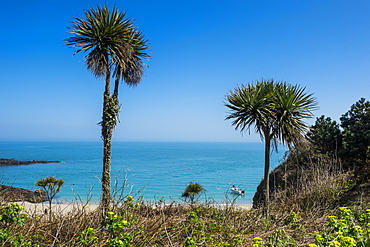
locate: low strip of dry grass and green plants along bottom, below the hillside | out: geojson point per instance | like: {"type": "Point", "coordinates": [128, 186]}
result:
{"type": "Point", "coordinates": [134, 224]}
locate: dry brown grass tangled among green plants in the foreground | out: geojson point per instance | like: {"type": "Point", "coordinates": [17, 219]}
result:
{"type": "Point", "coordinates": [170, 225]}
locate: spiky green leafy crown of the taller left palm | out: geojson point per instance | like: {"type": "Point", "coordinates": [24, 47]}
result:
{"type": "Point", "coordinates": [112, 43]}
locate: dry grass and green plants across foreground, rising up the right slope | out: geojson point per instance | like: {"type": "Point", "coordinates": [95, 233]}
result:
{"type": "Point", "coordinates": [312, 213]}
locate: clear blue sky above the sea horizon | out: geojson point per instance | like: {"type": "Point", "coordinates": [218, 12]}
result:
{"type": "Point", "coordinates": [200, 50]}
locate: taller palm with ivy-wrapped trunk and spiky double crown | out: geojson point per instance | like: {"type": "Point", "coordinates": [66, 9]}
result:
{"type": "Point", "coordinates": [115, 49]}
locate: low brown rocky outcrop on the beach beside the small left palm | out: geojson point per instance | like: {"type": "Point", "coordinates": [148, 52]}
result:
{"type": "Point", "coordinates": [12, 194]}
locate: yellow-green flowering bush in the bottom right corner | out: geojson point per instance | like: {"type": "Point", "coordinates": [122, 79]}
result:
{"type": "Point", "coordinates": [345, 230]}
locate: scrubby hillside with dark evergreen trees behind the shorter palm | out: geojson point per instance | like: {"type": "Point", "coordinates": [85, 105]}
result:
{"type": "Point", "coordinates": [330, 168]}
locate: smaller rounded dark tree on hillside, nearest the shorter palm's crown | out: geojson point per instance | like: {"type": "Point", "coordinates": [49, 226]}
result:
{"type": "Point", "coordinates": [325, 136]}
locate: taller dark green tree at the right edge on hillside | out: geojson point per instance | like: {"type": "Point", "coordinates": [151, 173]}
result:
{"type": "Point", "coordinates": [356, 133]}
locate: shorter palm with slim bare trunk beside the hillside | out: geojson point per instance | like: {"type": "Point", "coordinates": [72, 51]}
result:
{"type": "Point", "coordinates": [276, 110]}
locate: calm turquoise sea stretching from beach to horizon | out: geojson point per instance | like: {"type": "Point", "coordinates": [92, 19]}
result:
{"type": "Point", "coordinates": [150, 170]}
